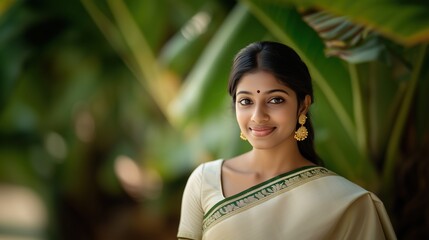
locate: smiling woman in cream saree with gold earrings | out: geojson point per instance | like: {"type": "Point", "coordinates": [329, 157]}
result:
{"type": "Point", "coordinates": [279, 189]}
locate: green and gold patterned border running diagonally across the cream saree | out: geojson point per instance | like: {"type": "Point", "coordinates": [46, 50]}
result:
{"type": "Point", "coordinates": [262, 192]}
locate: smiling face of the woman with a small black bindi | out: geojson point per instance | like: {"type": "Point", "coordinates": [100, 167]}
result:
{"type": "Point", "coordinates": [266, 110]}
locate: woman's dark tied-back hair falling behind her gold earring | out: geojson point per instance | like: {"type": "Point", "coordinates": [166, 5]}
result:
{"type": "Point", "coordinates": [285, 64]}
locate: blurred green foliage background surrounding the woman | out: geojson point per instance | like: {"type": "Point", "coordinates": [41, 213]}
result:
{"type": "Point", "coordinates": [107, 105]}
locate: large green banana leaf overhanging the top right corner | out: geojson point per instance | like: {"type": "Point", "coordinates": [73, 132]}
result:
{"type": "Point", "coordinates": [406, 23]}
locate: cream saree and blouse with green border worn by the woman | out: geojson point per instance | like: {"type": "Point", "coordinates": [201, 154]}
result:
{"type": "Point", "coordinates": [308, 203]}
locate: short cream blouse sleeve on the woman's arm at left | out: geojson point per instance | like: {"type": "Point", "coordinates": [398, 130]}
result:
{"type": "Point", "coordinates": [191, 216]}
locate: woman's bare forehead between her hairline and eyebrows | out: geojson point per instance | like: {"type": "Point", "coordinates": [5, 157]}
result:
{"type": "Point", "coordinates": [260, 80]}
